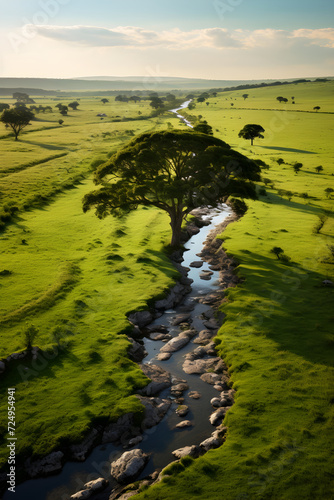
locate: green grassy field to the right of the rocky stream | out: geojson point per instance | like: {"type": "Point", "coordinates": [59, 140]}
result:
{"type": "Point", "coordinates": [278, 336]}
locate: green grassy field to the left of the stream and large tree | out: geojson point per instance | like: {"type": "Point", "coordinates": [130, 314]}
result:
{"type": "Point", "coordinates": [73, 277]}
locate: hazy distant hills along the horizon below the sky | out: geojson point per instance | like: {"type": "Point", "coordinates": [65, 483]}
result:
{"type": "Point", "coordinates": [45, 86]}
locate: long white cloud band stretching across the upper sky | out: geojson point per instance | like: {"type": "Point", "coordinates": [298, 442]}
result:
{"type": "Point", "coordinates": [219, 38]}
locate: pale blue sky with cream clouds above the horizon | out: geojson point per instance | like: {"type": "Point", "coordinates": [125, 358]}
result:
{"type": "Point", "coordinates": [212, 39]}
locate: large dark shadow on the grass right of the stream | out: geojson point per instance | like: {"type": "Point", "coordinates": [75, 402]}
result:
{"type": "Point", "coordinates": [290, 306]}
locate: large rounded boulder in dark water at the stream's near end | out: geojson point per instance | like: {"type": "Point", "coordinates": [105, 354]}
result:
{"type": "Point", "coordinates": [129, 465]}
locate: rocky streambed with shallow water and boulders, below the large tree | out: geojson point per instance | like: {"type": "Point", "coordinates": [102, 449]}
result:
{"type": "Point", "coordinates": [188, 395]}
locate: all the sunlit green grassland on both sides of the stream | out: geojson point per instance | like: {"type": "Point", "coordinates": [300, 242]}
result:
{"type": "Point", "coordinates": [79, 276]}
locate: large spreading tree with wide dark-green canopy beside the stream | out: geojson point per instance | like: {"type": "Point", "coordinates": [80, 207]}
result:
{"type": "Point", "coordinates": [175, 171]}
